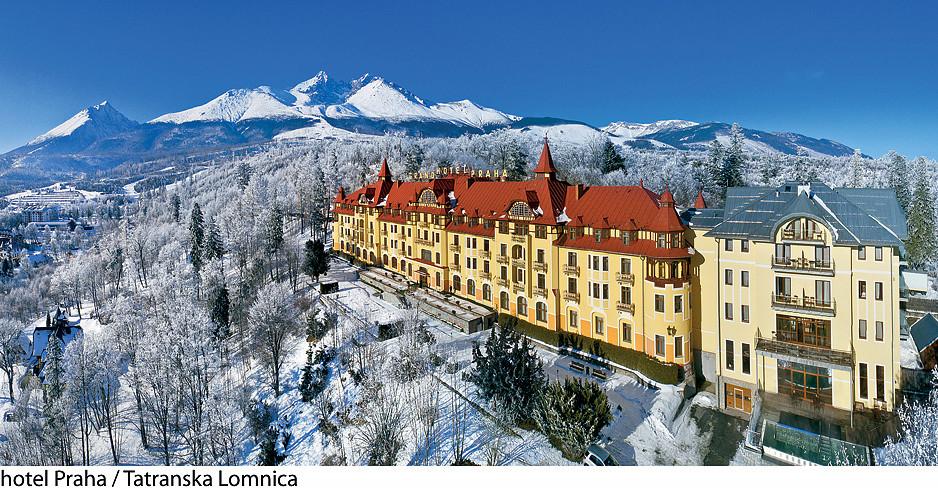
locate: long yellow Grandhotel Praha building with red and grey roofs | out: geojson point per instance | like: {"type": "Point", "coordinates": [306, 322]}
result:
{"type": "Point", "coordinates": [791, 294]}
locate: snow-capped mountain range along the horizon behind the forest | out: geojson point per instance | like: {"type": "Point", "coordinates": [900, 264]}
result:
{"type": "Point", "coordinates": [321, 107]}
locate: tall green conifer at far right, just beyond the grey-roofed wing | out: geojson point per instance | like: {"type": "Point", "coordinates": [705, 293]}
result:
{"type": "Point", "coordinates": [922, 245]}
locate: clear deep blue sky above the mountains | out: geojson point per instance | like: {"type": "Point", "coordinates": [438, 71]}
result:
{"type": "Point", "coordinates": [863, 73]}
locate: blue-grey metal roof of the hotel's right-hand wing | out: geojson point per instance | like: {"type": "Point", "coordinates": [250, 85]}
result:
{"type": "Point", "coordinates": [855, 216]}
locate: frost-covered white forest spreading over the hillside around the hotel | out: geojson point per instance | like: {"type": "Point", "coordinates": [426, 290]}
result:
{"type": "Point", "coordinates": [204, 342]}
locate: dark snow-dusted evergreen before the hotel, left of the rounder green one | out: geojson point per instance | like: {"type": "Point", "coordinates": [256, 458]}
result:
{"type": "Point", "coordinates": [508, 373]}
